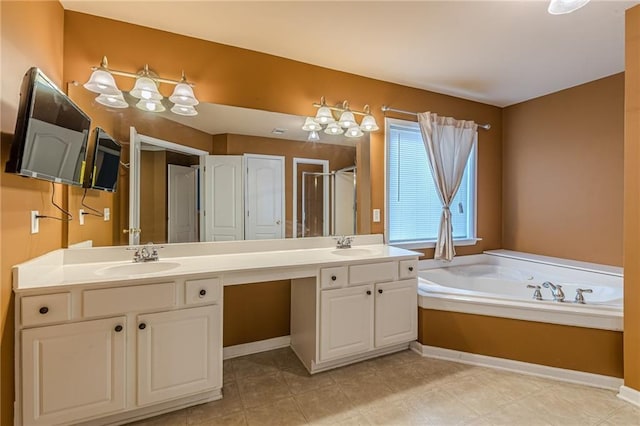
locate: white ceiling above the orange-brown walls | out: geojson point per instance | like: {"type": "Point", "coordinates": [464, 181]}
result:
{"type": "Point", "coordinates": [496, 52]}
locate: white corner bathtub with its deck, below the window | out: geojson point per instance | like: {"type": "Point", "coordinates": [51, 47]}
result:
{"type": "Point", "coordinates": [495, 284]}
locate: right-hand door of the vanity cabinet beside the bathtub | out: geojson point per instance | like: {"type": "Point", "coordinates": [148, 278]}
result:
{"type": "Point", "coordinates": [396, 312]}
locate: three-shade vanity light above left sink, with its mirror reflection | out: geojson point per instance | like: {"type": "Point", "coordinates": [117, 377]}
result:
{"type": "Point", "coordinates": [145, 89]}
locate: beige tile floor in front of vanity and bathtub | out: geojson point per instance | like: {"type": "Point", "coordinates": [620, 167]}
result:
{"type": "Point", "coordinates": [273, 388]}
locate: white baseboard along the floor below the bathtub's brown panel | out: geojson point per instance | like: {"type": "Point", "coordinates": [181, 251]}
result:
{"type": "Point", "coordinates": [555, 373]}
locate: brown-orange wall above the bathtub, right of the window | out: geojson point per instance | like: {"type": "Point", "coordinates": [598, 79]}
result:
{"type": "Point", "coordinates": [563, 173]}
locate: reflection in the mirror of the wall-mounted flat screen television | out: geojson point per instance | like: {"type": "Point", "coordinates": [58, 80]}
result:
{"type": "Point", "coordinates": [106, 162]}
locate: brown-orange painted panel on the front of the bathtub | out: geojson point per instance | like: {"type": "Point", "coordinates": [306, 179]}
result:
{"type": "Point", "coordinates": [574, 348]}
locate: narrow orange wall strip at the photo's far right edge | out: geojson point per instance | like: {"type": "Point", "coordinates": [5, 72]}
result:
{"type": "Point", "coordinates": [632, 202]}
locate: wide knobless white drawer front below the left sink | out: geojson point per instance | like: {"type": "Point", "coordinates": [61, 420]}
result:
{"type": "Point", "coordinates": [109, 301]}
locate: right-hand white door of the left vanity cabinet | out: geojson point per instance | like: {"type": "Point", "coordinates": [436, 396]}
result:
{"type": "Point", "coordinates": [179, 353]}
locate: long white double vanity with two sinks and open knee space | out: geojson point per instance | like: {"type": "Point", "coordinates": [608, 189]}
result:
{"type": "Point", "coordinates": [103, 340]}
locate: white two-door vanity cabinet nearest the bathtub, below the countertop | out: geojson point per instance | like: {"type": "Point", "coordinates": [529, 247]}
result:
{"type": "Point", "coordinates": [354, 312]}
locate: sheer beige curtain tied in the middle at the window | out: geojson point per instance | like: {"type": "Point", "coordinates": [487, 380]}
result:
{"type": "Point", "coordinates": [448, 143]}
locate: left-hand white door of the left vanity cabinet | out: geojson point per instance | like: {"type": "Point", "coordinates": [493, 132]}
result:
{"type": "Point", "coordinates": [73, 371]}
